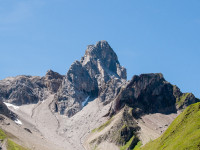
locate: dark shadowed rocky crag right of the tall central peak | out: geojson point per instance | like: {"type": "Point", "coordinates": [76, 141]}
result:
{"type": "Point", "coordinates": [151, 93]}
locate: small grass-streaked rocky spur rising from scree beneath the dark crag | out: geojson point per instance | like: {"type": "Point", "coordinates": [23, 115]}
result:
{"type": "Point", "coordinates": [123, 123]}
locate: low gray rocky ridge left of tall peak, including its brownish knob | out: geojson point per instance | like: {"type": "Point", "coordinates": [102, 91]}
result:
{"type": "Point", "coordinates": [29, 89]}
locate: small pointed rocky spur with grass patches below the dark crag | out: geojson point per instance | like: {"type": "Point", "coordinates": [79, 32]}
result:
{"type": "Point", "coordinates": [121, 132]}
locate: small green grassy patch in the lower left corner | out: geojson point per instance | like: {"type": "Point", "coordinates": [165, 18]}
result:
{"type": "Point", "coordinates": [10, 144]}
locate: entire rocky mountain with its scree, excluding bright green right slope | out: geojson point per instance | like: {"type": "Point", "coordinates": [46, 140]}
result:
{"type": "Point", "coordinates": [92, 107]}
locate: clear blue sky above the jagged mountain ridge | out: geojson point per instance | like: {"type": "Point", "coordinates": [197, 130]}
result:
{"type": "Point", "coordinates": [147, 35]}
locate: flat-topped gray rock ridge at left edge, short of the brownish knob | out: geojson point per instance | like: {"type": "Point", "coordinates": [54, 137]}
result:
{"type": "Point", "coordinates": [21, 89]}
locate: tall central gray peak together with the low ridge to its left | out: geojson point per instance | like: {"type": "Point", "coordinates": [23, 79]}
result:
{"type": "Point", "coordinates": [97, 74]}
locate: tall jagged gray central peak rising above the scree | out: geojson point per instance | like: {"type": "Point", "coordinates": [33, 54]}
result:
{"type": "Point", "coordinates": [97, 74]}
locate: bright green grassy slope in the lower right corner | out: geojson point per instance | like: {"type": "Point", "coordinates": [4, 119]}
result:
{"type": "Point", "coordinates": [182, 134]}
